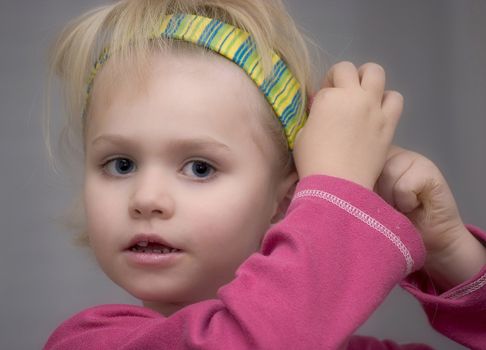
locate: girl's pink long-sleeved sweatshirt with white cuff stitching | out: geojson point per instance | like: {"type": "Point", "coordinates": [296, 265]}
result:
{"type": "Point", "coordinates": [320, 274]}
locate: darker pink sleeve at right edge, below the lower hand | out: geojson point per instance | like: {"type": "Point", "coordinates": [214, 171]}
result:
{"type": "Point", "coordinates": [459, 313]}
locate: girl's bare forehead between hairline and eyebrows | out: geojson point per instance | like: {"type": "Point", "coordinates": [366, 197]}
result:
{"type": "Point", "coordinates": [198, 89]}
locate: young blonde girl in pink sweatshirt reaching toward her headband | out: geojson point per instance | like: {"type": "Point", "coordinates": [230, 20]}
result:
{"type": "Point", "coordinates": [193, 118]}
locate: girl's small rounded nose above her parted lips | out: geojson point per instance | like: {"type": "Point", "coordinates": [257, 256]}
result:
{"type": "Point", "coordinates": [151, 198]}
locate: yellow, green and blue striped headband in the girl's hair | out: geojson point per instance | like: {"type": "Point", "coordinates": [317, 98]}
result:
{"type": "Point", "coordinates": [280, 88]}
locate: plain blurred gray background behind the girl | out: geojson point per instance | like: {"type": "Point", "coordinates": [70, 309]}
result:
{"type": "Point", "coordinates": [434, 52]}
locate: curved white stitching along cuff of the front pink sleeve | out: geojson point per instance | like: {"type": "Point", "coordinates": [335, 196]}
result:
{"type": "Point", "coordinates": [370, 221]}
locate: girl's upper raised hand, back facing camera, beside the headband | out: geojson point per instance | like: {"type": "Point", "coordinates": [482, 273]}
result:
{"type": "Point", "coordinates": [350, 127]}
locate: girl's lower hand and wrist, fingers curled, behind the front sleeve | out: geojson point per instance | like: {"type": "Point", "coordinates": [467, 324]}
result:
{"type": "Point", "coordinates": [415, 186]}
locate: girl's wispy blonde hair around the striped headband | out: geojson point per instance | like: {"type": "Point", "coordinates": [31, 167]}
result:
{"type": "Point", "coordinates": [126, 27]}
